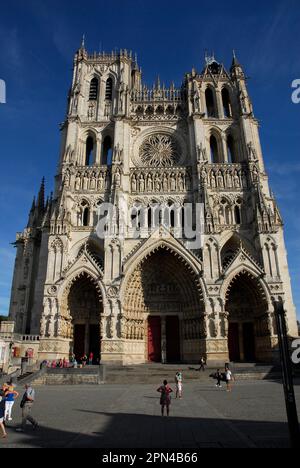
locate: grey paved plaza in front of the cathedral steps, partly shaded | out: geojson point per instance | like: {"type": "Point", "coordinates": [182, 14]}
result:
{"type": "Point", "coordinates": [109, 416]}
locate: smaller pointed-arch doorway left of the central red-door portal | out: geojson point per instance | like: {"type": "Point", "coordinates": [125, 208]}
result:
{"type": "Point", "coordinates": [85, 308]}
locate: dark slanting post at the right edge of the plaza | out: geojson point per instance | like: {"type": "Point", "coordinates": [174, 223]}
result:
{"type": "Point", "coordinates": [287, 374]}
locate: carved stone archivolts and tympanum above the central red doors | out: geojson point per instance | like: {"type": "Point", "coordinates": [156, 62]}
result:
{"type": "Point", "coordinates": [162, 283]}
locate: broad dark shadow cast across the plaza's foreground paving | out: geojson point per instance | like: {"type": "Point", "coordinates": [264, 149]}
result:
{"type": "Point", "coordinates": [129, 430]}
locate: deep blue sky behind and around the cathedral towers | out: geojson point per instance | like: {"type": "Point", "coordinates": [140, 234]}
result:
{"type": "Point", "coordinates": [37, 43]}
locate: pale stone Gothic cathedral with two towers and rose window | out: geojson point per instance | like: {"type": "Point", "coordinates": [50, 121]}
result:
{"type": "Point", "coordinates": [142, 289]}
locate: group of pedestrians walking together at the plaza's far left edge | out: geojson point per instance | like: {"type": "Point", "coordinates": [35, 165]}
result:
{"type": "Point", "coordinates": [8, 396]}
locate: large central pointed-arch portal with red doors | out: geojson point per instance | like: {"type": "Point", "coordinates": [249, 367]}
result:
{"type": "Point", "coordinates": [164, 297]}
